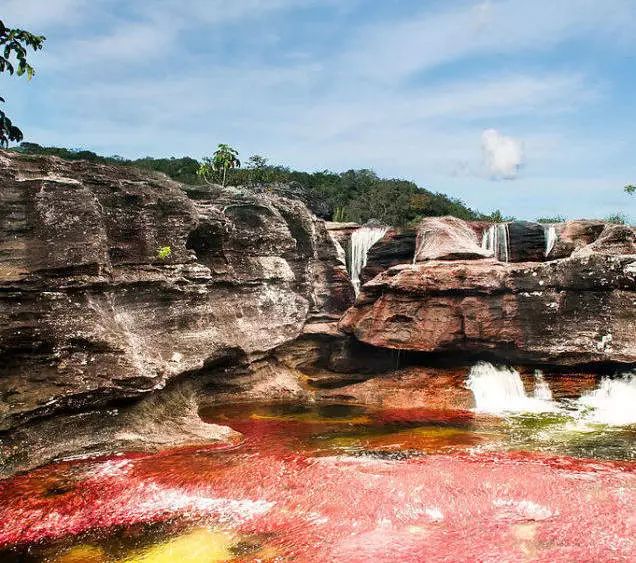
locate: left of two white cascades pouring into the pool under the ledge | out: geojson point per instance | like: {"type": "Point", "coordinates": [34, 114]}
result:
{"type": "Point", "coordinates": [500, 390]}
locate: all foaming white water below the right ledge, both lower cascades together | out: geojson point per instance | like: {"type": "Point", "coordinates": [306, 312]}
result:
{"type": "Point", "coordinates": [500, 390]}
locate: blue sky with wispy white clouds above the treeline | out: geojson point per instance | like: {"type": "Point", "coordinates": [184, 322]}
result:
{"type": "Point", "coordinates": [528, 107]}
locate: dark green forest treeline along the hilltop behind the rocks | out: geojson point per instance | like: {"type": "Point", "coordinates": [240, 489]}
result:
{"type": "Point", "coordinates": [354, 195]}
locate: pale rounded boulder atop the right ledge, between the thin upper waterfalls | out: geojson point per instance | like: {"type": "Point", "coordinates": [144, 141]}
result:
{"type": "Point", "coordinates": [447, 238]}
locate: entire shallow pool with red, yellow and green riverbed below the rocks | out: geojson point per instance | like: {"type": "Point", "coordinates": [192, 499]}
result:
{"type": "Point", "coordinates": [330, 482]}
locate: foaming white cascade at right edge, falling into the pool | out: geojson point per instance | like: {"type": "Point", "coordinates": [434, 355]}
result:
{"type": "Point", "coordinates": [612, 403]}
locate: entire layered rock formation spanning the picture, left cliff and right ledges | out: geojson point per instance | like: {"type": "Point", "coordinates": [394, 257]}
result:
{"type": "Point", "coordinates": [125, 297]}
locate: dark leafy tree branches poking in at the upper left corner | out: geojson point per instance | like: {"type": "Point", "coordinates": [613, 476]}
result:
{"type": "Point", "coordinates": [13, 45]}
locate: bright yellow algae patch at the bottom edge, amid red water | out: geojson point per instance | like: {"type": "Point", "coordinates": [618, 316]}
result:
{"type": "Point", "coordinates": [198, 546]}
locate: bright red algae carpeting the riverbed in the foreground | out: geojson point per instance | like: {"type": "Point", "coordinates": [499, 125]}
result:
{"type": "Point", "coordinates": [308, 503]}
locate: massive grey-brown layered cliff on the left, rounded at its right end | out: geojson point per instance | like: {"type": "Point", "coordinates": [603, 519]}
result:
{"type": "Point", "coordinates": [92, 312]}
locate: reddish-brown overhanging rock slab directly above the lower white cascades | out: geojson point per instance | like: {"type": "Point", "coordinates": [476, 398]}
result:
{"type": "Point", "coordinates": [573, 311]}
